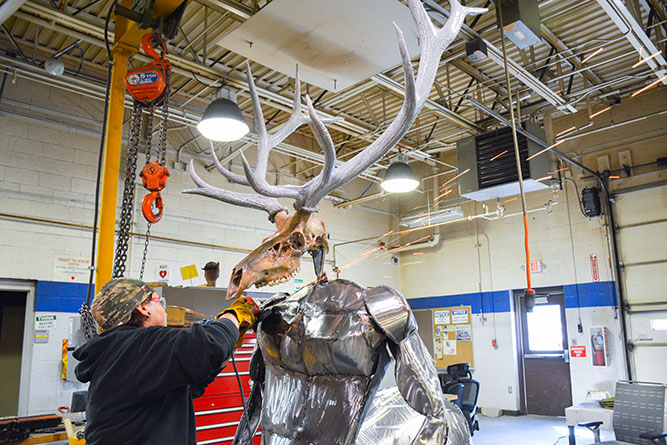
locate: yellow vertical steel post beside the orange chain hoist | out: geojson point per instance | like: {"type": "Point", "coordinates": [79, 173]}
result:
{"type": "Point", "coordinates": [127, 37]}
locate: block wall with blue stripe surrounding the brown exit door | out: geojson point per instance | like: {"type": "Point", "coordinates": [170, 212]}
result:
{"type": "Point", "coordinates": [453, 273]}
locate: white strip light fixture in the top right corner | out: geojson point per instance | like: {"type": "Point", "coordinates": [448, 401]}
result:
{"type": "Point", "coordinates": [635, 34]}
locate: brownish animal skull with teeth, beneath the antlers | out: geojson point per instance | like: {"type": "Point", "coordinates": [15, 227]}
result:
{"type": "Point", "coordinates": [278, 258]}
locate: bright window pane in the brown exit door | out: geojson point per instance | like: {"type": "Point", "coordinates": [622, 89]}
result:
{"type": "Point", "coordinates": [545, 328]}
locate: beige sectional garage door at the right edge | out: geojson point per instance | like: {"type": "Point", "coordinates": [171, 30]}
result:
{"type": "Point", "coordinates": [642, 241]}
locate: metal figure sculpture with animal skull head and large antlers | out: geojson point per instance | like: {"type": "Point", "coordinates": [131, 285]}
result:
{"type": "Point", "coordinates": [324, 350]}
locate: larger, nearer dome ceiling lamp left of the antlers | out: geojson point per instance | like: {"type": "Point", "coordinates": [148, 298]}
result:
{"type": "Point", "coordinates": [223, 119]}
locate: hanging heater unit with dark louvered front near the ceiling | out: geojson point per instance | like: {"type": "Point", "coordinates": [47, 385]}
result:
{"type": "Point", "coordinates": [490, 158]}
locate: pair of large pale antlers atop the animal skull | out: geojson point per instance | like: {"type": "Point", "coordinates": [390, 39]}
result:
{"type": "Point", "coordinates": [433, 42]}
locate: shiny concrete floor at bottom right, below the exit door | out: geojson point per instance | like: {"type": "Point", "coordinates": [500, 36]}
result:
{"type": "Point", "coordinates": [530, 430]}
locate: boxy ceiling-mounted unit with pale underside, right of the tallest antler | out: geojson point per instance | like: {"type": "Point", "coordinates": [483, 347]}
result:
{"type": "Point", "coordinates": [521, 22]}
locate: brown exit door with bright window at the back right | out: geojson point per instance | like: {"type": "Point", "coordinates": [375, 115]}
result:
{"type": "Point", "coordinates": [547, 389]}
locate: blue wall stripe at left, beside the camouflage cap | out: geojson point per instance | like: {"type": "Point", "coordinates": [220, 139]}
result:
{"type": "Point", "coordinates": [57, 296]}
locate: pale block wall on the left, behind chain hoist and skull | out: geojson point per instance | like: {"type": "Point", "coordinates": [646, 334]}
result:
{"type": "Point", "coordinates": [47, 171]}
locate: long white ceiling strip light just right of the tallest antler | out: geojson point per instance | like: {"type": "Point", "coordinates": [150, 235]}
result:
{"type": "Point", "coordinates": [515, 69]}
